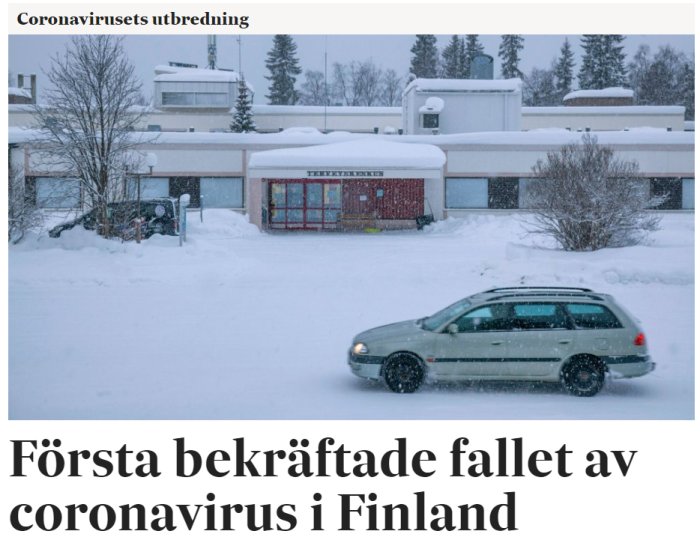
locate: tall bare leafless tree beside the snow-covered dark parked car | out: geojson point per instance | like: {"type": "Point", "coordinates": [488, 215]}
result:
{"type": "Point", "coordinates": [88, 119]}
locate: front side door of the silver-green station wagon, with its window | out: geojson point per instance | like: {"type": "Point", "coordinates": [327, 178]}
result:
{"type": "Point", "coordinates": [477, 345]}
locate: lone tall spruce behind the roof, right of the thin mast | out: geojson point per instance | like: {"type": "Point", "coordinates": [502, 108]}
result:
{"type": "Point", "coordinates": [283, 66]}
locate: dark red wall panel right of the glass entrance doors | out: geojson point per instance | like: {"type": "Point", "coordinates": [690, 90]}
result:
{"type": "Point", "coordinates": [388, 198]}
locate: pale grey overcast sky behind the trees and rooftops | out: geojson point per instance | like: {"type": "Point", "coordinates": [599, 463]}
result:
{"type": "Point", "coordinates": [32, 54]}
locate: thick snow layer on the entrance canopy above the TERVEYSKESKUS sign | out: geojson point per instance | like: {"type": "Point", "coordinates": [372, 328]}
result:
{"type": "Point", "coordinates": [365, 152]}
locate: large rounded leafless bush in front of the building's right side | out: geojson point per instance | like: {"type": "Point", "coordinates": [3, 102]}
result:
{"type": "Point", "coordinates": [587, 199]}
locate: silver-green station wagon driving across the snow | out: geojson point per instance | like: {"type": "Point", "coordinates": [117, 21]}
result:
{"type": "Point", "coordinates": [572, 335]}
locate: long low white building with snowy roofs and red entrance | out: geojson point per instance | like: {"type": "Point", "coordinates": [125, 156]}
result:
{"type": "Point", "coordinates": [353, 167]}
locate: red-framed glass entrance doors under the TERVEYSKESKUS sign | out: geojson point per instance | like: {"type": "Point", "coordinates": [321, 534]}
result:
{"type": "Point", "coordinates": [304, 204]}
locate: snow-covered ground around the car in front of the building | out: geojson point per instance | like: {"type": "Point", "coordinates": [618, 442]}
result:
{"type": "Point", "coordinates": [238, 324]}
